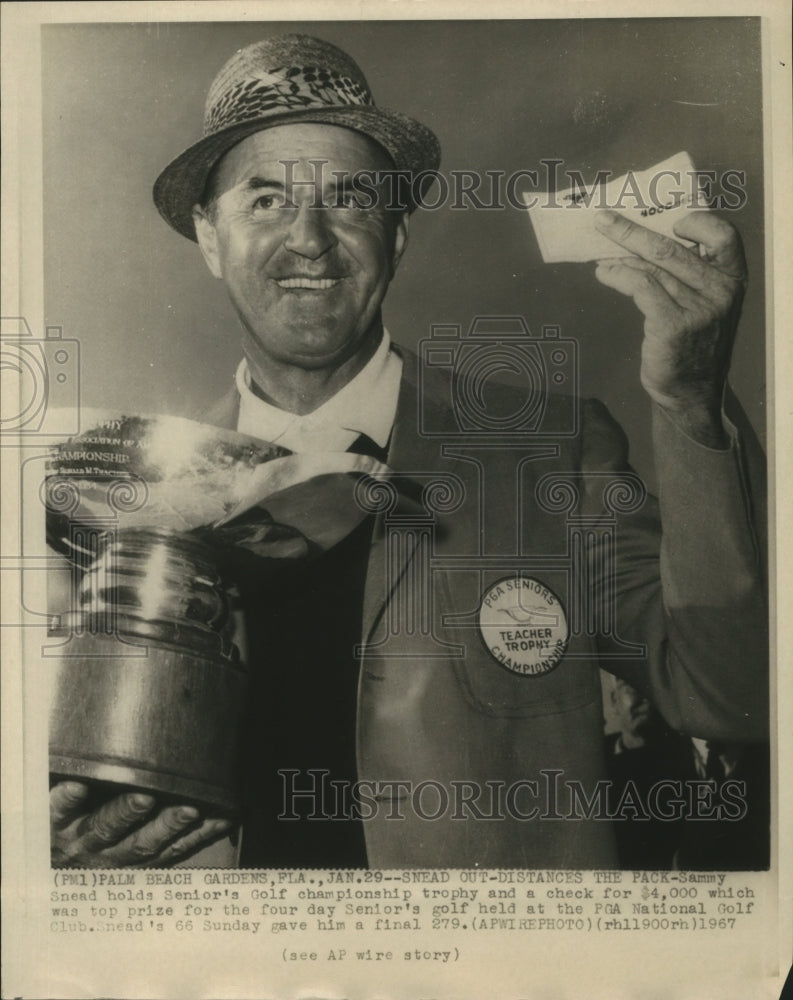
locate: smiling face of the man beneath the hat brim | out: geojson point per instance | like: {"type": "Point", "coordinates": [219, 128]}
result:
{"type": "Point", "coordinates": [307, 282]}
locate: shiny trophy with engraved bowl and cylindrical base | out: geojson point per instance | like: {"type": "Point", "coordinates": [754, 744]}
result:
{"type": "Point", "coordinates": [152, 514]}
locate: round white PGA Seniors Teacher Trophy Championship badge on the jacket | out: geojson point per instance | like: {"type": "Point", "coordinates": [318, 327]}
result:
{"type": "Point", "coordinates": [523, 625]}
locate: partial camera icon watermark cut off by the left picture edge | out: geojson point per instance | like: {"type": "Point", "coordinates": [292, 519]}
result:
{"type": "Point", "coordinates": [40, 382]}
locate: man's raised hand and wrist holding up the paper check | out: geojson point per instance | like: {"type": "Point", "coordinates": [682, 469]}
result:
{"type": "Point", "coordinates": [691, 304]}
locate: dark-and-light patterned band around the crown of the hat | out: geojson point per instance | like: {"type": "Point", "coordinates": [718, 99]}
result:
{"type": "Point", "coordinates": [292, 88]}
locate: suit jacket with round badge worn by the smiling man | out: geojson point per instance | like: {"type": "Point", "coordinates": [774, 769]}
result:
{"type": "Point", "coordinates": [679, 611]}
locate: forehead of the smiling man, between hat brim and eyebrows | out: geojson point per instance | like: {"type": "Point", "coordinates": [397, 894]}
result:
{"type": "Point", "coordinates": [264, 154]}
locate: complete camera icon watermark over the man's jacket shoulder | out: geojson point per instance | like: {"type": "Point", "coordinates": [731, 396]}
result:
{"type": "Point", "coordinates": [470, 371]}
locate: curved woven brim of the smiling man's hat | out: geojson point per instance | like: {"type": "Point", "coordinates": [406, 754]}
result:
{"type": "Point", "coordinates": [412, 147]}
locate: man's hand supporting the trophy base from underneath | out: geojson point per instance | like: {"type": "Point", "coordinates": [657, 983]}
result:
{"type": "Point", "coordinates": [129, 830]}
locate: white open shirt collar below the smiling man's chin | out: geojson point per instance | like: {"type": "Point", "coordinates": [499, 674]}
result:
{"type": "Point", "coordinates": [365, 405]}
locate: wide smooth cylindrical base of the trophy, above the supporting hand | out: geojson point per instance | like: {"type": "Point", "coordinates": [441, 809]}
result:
{"type": "Point", "coordinates": [150, 717]}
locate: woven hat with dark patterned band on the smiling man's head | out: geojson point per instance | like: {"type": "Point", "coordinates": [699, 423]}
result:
{"type": "Point", "coordinates": [283, 80]}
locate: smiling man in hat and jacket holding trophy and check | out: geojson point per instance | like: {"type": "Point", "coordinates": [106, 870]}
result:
{"type": "Point", "coordinates": [500, 694]}
